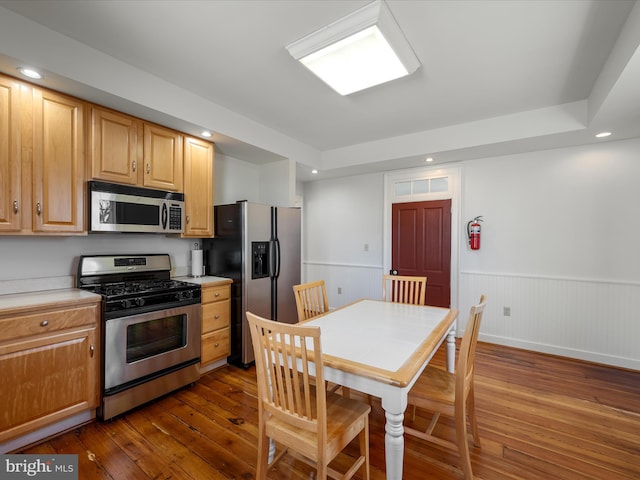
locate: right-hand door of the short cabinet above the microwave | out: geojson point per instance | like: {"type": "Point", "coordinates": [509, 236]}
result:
{"type": "Point", "coordinates": [162, 158]}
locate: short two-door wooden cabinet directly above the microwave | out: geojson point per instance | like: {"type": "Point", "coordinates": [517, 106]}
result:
{"type": "Point", "coordinates": [124, 149]}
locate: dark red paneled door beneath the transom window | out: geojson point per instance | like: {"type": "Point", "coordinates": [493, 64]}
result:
{"type": "Point", "coordinates": [421, 245]}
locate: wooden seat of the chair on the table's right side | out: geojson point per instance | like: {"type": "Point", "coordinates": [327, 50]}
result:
{"type": "Point", "coordinates": [434, 388]}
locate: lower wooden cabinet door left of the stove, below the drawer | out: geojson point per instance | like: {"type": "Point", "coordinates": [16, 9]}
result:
{"type": "Point", "coordinates": [46, 379]}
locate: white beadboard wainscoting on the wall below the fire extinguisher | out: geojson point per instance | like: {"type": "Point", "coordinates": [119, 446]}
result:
{"type": "Point", "coordinates": [591, 320]}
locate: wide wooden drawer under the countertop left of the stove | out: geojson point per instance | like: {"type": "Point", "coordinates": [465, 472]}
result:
{"type": "Point", "coordinates": [46, 322]}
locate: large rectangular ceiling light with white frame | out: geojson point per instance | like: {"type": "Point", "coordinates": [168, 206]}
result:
{"type": "Point", "coordinates": [361, 50]}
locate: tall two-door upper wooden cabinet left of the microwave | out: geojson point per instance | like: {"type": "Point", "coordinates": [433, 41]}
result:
{"type": "Point", "coordinates": [42, 160]}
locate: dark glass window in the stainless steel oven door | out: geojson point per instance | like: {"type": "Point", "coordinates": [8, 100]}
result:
{"type": "Point", "coordinates": [154, 337]}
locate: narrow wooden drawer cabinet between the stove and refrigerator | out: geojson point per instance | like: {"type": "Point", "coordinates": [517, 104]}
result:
{"type": "Point", "coordinates": [216, 326]}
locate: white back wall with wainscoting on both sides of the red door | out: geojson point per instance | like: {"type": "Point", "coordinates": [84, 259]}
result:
{"type": "Point", "coordinates": [557, 247]}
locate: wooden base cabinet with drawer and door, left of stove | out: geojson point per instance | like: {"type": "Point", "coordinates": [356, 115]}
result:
{"type": "Point", "coordinates": [49, 365]}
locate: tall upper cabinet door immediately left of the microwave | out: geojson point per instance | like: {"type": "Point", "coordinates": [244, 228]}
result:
{"type": "Point", "coordinates": [58, 163]}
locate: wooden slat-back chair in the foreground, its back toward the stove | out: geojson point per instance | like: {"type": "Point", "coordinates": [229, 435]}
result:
{"type": "Point", "coordinates": [303, 419]}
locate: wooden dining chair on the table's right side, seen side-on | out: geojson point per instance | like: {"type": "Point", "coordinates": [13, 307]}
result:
{"type": "Point", "coordinates": [451, 394]}
